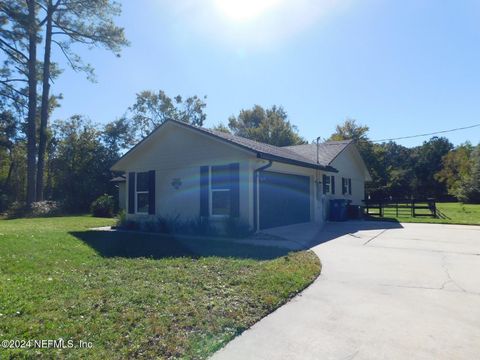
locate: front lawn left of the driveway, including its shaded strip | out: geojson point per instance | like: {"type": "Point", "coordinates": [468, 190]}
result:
{"type": "Point", "coordinates": [135, 296]}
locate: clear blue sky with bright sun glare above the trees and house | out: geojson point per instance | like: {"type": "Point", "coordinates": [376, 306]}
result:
{"type": "Point", "coordinates": [400, 67]}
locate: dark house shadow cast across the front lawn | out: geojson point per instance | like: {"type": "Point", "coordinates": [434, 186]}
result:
{"type": "Point", "coordinates": [136, 245]}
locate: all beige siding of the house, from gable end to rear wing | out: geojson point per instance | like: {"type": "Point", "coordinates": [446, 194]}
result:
{"type": "Point", "coordinates": [176, 152]}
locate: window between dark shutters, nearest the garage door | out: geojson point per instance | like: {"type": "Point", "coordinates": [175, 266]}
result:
{"type": "Point", "coordinates": [220, 190]}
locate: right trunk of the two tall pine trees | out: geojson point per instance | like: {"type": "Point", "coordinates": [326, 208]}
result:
{"type": "Point", "coordinates": [42, 145]}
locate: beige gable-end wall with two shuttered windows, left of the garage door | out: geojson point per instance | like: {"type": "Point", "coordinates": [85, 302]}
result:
{"type": "Point", "coordinates": [178, 153]}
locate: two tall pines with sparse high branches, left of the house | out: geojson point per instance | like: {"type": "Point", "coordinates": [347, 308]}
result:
{"type": "Point", "coordinates": [54, 29]}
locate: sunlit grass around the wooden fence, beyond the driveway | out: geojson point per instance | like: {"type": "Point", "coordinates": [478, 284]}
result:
{"type": "Point", "coordinates": [448, 213]}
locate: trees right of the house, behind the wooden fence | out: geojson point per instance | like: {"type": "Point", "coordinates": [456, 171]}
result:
{"type": "Point", "coordinates": [436, 169]}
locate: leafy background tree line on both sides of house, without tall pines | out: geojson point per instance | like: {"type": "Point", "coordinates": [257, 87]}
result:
{"type": "Point", "coordinates": [79, 153]}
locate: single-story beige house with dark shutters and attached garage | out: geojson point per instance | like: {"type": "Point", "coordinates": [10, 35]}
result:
{"type": "Point", "coordinates": [185, 171]}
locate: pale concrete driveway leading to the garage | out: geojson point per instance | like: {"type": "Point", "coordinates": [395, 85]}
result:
{"type": "Point", "coordinates": [387, 291]}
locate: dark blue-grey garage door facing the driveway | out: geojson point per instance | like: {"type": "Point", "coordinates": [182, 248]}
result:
{"type": "Point", "coordinates": [284, 199]}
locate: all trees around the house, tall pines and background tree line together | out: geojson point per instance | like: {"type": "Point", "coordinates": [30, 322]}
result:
{"type": "Point", "coordinates": [68, 160]}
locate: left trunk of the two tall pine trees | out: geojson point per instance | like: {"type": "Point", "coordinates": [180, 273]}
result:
{"type": "Point", "coordinates": [32, 101]}
